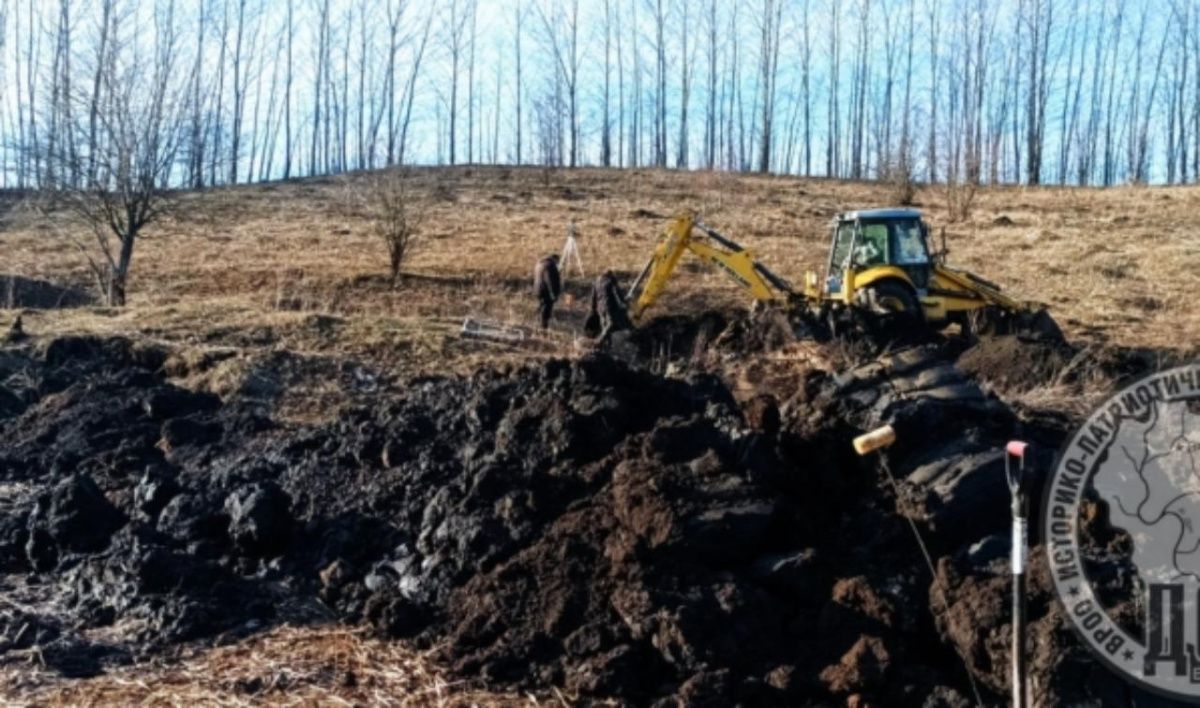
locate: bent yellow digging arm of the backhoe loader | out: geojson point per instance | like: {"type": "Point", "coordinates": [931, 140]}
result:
{"type": "Point", "coordinates": [685, 235]}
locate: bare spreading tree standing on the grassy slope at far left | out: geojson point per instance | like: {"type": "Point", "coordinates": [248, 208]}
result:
{"type": "Point", "coordinates": [117, 182]}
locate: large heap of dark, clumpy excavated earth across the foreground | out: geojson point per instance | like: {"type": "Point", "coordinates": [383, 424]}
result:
{"type": "Point", "coordinates": [589, 525]}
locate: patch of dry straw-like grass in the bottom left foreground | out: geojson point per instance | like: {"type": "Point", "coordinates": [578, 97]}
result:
{"type": "Point", "coordinates": [298, 667]}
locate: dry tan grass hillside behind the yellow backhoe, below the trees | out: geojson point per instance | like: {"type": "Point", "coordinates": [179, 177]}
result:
{"type": "Point", "coordinates": [297, 265]}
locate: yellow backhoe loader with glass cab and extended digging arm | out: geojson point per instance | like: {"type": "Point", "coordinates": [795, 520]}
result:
{"type": "Point", "coordinates": [880, 271]}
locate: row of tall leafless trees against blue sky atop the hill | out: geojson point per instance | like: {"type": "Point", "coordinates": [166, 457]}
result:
{"type": "Point", "coordinates": [1036, 92]}
